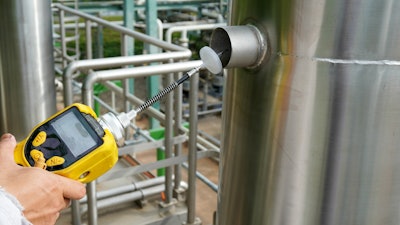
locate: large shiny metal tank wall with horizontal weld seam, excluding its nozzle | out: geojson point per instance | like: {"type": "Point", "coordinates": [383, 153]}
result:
{"type": "Point", "coordinates": [312, 136]}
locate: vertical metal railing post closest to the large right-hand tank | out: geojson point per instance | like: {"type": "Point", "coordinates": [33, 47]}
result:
{"type": "Point", "coordinates": [193, 120]}
